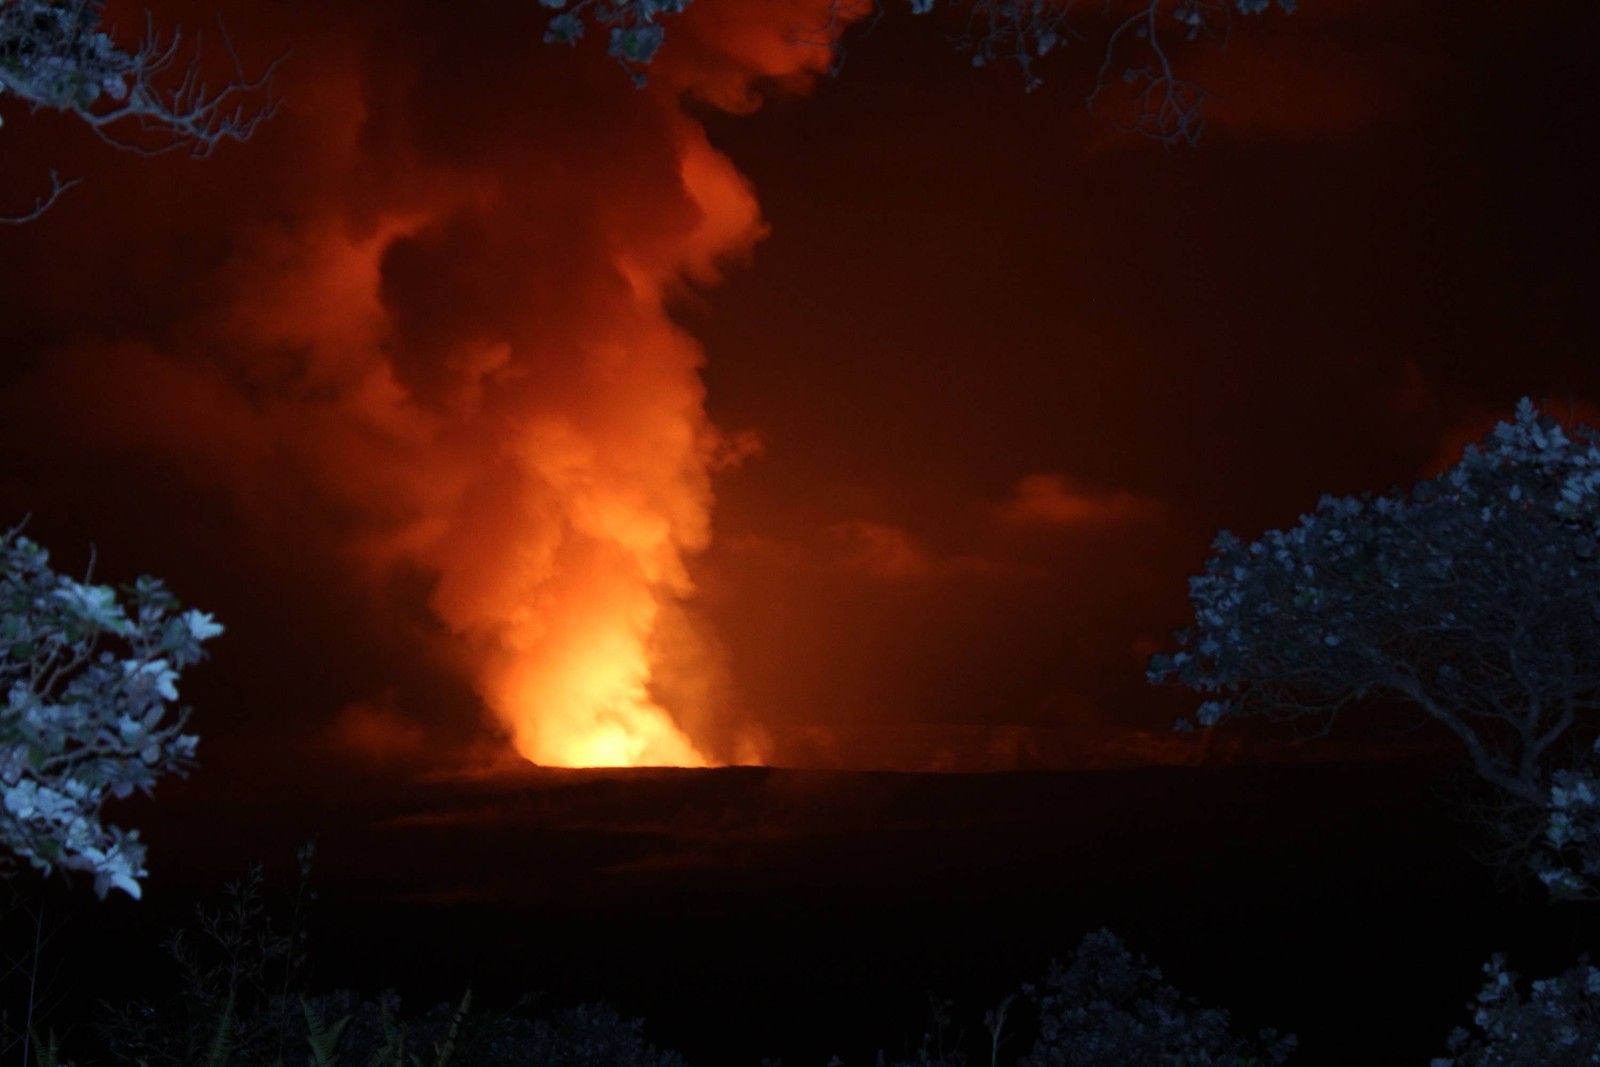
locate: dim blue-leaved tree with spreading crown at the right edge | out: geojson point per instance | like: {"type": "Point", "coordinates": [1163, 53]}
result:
{"type": "Point", "coordinates": [1474, 597]}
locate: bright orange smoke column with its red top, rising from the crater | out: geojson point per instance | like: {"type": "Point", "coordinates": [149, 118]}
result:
{"type": "Point", "coordinates": [588, 486]}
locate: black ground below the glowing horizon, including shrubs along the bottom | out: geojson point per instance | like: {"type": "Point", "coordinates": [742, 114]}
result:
{"type": "Point", "coordinates": [902, 933]}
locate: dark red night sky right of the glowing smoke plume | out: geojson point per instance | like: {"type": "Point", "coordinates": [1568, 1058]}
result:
{"type": "Point", "coordinates": [1378, 236]}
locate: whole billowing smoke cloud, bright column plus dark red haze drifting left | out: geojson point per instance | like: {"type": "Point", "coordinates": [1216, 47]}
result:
{"type": "Point", "coordinates": [433, 343]}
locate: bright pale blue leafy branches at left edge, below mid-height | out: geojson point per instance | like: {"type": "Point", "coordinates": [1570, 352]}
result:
{"type": "Point", "coordinates": [89, 685]}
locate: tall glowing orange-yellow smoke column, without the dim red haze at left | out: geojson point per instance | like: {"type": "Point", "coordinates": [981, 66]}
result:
{"type": "Point", "coordinates": [609, 492]}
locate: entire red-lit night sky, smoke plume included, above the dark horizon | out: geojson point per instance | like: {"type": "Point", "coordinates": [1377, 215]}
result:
{"type": "Point", "coordinates": [753, 417]}
